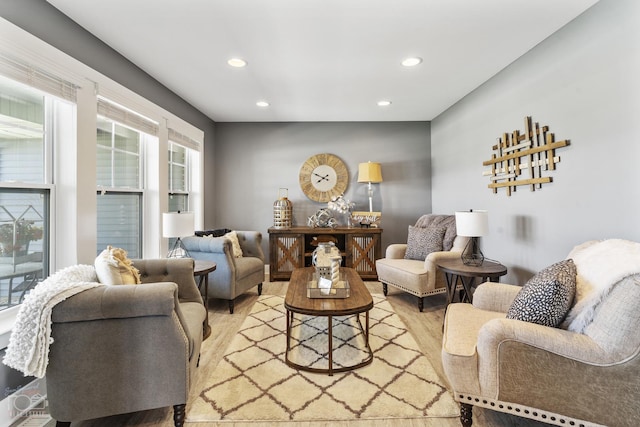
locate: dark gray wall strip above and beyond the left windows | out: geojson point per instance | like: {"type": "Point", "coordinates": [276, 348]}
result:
{"type": "Point", "coordinates": [47, 23]}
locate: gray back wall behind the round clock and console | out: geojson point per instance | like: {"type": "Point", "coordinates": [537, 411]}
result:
{"type": "Point", "coordinates": [253, 160]}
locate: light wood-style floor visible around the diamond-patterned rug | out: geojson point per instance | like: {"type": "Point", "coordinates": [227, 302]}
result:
{"type": "Point", "coordinates": [426, 328]}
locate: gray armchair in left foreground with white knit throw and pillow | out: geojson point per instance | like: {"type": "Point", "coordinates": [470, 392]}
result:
{"type": "Point", "coordinates": [114, 348]}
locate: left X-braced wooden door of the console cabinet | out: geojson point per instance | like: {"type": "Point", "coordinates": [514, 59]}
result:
{"type": "Point", "coordinates": [286, 253]}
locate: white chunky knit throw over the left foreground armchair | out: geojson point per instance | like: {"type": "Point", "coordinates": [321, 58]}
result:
{"type": "Point", "coordinates": [28, 349]}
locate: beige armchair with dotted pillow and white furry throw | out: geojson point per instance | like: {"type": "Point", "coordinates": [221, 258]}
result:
{"type": "Point", "coordinates": [563, 349]}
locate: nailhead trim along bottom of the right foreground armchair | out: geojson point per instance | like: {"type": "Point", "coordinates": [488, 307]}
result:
{"type": "Point", "coordinates": [523, 411]}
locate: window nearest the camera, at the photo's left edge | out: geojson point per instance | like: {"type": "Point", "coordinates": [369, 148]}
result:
{"type": "Point", "coordinates": [24, 189]}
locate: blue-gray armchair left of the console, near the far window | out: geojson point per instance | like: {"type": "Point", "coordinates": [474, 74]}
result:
{"type": "Point", "coordinates": [233, 276]}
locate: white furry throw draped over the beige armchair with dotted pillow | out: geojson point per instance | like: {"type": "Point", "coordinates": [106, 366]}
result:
{"type": "Point", "coordinates": [601, 265]}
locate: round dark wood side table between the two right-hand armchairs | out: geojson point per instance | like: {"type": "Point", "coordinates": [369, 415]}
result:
{"type": "Point", "coordinates": [456, 272]}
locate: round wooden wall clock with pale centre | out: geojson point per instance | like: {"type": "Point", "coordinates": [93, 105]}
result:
{"type": "Point", "coordinates": [323, 176]}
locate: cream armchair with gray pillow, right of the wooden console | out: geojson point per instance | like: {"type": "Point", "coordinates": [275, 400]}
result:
{"type": "Point", "coordinates": [412, 266]}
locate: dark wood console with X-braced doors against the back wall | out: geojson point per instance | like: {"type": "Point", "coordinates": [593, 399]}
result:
{"type": "Point", "coordinates": [291, 248]}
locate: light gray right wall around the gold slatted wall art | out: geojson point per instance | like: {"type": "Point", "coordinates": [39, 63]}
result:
{"type": "Point", "coordinates": [584, 83]}
